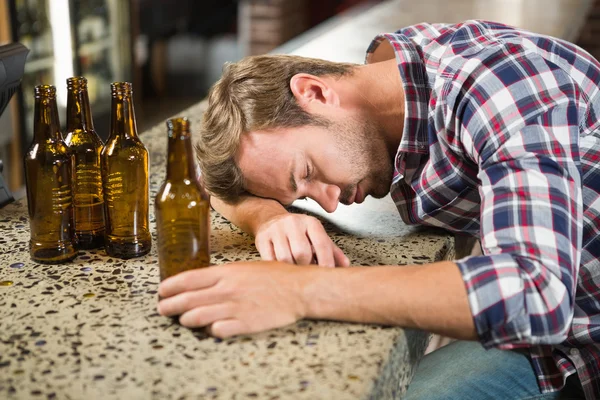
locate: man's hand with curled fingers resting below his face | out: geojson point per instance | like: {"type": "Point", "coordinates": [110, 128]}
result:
{"type": "Point", "coordinates": [298, 239]}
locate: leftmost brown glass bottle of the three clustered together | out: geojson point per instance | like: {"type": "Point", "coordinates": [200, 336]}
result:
{"type": "Point", "coordinates": [49, 174]}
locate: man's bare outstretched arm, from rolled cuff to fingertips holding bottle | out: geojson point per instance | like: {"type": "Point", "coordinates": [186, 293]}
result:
{"type": "Point", "coordinates": [244, 298]}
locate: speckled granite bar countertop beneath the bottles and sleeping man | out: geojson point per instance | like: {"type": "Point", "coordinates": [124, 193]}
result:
{"type": "Point", "coordinates": [89, 329]}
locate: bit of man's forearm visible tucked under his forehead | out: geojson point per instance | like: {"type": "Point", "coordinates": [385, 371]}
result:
{"type": "Point", "coordinates": [249, 213]}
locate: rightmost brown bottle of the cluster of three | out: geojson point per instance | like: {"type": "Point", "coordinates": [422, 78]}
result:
{"type": "Point", "coordinates": [125, 180]}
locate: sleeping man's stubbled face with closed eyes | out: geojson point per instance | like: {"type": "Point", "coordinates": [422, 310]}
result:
{"type": "Point", "coordinates": [343, 162]}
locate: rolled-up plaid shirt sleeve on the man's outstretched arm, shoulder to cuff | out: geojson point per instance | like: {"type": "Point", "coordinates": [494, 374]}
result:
{"type": "Point", "coordinates": [523, 134]}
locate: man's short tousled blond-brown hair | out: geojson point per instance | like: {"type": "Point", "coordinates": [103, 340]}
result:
{"type": "Point", "coordinates": [252, 94]}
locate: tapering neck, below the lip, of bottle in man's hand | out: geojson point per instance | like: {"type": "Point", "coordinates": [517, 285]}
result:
{"type": "Point", "coordinates": [180, 163]}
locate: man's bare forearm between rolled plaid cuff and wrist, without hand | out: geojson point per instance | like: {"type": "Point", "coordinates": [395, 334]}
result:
{"type": "Point", "coordinates": [430, 297]}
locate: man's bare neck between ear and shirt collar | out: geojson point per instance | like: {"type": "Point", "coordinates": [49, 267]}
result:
{"type": "Point", "coordinates": [379, 92]}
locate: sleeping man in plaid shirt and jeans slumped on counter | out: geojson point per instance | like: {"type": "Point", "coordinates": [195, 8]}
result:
{"type": "Point", "coordinates": [476, 127]}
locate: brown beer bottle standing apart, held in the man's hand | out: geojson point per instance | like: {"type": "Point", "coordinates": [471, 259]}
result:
{"type": "Point", "coordinates": [182, 208]}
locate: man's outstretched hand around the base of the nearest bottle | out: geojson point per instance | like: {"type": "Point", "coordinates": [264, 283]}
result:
{"type": "Point", "coordinates": [238, 298]}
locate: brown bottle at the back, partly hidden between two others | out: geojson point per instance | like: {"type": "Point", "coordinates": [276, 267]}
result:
{"type": "Point", "coordinates": [85, 145]}
